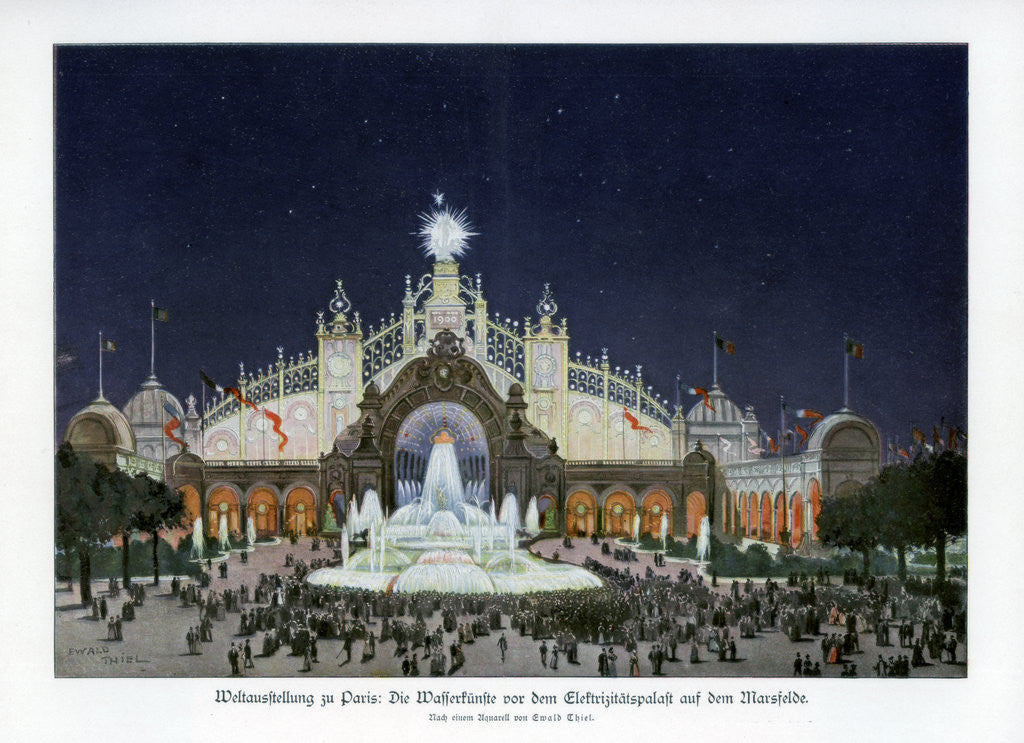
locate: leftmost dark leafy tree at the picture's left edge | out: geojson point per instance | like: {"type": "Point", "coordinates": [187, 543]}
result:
{"type": "Point", "coordinates": [81, 512]}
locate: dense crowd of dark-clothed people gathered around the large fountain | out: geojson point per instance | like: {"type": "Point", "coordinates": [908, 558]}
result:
{"type": "Point", "coordinates": [641, 622]}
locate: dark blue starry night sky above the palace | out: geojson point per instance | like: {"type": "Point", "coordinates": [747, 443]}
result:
{"type": "Point", "coordinates": [782, 195]}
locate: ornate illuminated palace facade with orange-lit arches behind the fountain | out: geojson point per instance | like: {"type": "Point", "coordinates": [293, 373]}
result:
{"type": "Point", "coordinates": [529, 418]}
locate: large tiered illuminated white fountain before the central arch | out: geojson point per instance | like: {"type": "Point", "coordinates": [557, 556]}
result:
{"type": "Point", "coordinates": [444, 540]}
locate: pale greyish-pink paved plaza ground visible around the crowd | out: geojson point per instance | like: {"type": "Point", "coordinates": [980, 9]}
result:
{"type": "Point", "coordinates": [155, 645]}
